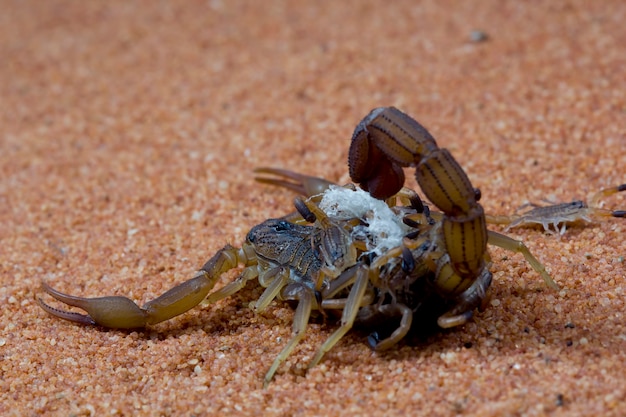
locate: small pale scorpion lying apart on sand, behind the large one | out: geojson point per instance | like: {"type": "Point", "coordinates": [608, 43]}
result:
{"type": "Point", "coordinates": [561, 213]}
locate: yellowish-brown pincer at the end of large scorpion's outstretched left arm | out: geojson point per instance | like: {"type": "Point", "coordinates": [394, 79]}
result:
{"type": "Point", "coordinates": [113, 312]}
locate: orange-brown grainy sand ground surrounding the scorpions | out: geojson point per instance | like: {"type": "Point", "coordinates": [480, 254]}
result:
{"type": "Point", "coordinates": [129, 131]}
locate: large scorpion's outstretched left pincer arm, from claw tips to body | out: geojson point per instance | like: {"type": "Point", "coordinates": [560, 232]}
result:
{"type": "Point", "coordinates": [122, 313]}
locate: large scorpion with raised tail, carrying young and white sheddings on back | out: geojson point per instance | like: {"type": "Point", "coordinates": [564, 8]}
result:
{"type": "Point", "coordinates": [378, 255]}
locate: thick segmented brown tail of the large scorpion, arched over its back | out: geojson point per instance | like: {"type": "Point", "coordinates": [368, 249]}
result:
{"type": "Point", "coordinates": [387, 140]}
